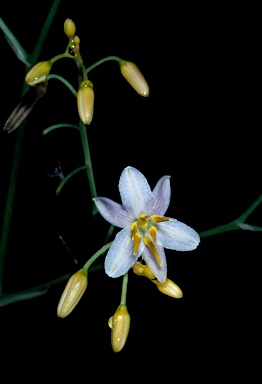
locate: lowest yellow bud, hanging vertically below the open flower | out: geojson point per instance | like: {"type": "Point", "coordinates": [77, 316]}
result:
{"type": "Point", "coordinates": [120, 324]}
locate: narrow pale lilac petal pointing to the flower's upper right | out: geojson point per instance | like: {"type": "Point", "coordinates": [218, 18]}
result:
{"type": "Point", "coordinates": [161, 196]}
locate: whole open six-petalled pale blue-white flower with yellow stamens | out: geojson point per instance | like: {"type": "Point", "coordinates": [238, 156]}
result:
{"type": "Point", "coordinates": [146, 231]}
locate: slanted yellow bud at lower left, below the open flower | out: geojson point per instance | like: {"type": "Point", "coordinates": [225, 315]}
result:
{"type": "Point", "coordinates": [73, 292]}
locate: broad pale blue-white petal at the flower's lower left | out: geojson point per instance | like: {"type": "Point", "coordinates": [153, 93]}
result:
{"type": "Point", "coordinates": [120, 258]}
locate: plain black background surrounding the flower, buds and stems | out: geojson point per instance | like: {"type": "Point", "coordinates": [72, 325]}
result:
{"type": "Point", "coordinates": [200, 125]}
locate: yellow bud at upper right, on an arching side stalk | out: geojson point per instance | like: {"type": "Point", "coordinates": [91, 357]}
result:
{"type": "Point", "coordinates": [135, 78]}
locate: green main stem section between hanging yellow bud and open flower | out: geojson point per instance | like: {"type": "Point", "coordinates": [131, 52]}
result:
{"type": "Point", "coordinates": [88, 163]}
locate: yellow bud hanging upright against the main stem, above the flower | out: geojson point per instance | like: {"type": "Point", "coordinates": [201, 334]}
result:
{"type": "Point", "coordinates": [85, 101]}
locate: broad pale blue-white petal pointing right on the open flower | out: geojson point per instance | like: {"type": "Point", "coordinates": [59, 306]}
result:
{"type": "Point", "coordinates": [176, 235]}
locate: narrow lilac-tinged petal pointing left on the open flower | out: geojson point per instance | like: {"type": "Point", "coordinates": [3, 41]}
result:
{"type": "Point", "coordinates": [113, 212]}
